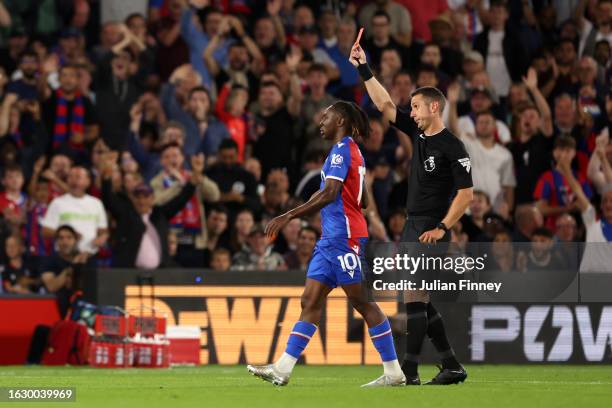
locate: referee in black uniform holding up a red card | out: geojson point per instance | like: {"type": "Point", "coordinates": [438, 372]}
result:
{"type": "Point", "coordinates": [440, 169]}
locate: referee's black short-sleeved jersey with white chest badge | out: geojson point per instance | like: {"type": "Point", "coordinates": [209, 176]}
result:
{"type": "Point", "coordinates": [440, 166]}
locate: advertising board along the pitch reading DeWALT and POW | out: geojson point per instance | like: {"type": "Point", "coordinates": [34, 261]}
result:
{"type": "Point", "coordinates": [246, 317]}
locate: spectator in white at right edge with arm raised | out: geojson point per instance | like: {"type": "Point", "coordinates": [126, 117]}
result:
{"type": "Point", "coordinates": [597, 255]}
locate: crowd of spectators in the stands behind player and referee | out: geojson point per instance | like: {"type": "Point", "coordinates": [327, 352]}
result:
{"type": "Point", "coordinates": [157, 133]}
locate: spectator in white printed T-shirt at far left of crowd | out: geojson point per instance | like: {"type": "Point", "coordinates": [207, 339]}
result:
{"type": "Point", "coordinates": [81, 211]}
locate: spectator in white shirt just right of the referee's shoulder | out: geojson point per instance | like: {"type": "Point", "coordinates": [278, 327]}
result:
{"type": "Point", "coordinates": [492, 165]}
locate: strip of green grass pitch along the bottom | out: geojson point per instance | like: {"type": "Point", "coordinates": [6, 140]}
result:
{"type": "Point", "coordinates": [318, 387]}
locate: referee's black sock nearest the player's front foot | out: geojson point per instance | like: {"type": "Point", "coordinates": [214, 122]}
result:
{"type": "Point", "coordinates": [416, 328]}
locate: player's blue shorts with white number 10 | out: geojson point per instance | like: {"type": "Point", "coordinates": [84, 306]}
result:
{"type": "Point", "coordinates": [338, 261]}
